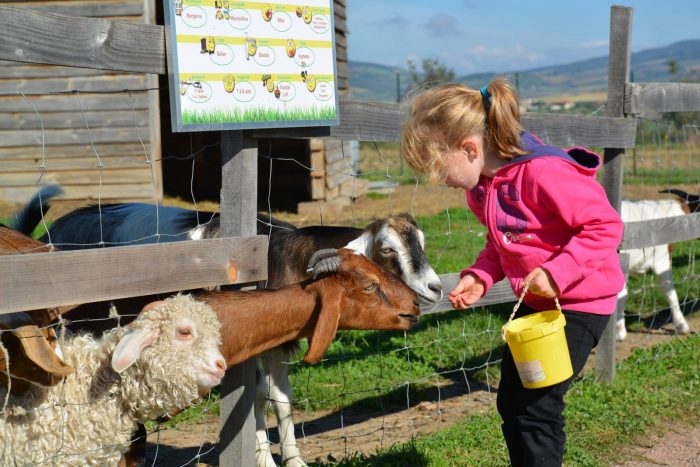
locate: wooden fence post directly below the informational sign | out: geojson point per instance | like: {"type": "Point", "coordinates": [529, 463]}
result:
{"type": "Point", "coordinates": [239, 192]}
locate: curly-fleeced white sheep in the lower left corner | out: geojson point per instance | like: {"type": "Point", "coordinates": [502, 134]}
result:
{"type": "Point", "coordinates": [159, 364]}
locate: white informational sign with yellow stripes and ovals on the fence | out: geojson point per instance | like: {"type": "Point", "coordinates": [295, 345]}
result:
{"type": "Point", "coordinates": [237, 65]}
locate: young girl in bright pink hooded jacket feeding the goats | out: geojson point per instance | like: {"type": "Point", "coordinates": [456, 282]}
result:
{"type": "Point", "coordinates": [550, 226]}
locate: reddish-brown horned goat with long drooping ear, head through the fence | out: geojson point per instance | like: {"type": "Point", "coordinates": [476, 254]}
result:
{"type": "Point", "coordinates": [360, 295]}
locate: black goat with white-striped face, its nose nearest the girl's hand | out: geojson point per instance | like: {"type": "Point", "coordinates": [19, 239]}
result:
{"type": "Point", "coordinates": [395, 242]}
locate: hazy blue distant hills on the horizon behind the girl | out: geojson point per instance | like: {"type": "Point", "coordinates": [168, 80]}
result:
{"type": "Point", "coordinates": [371, 81]}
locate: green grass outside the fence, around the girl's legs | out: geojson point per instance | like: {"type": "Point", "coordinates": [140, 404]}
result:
{"type": "Point", "coordinates": [603, 420]}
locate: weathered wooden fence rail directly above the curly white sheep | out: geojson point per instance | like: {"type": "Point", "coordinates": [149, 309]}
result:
{"type": "Point", "coordinates": [68, 277]}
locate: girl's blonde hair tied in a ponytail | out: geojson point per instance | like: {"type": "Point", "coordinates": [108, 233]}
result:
{"type": "Point", "coordinates": [441, 117]}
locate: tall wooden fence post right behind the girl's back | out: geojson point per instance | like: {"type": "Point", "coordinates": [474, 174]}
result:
{"type": "Point", "coordinates": [618, 77]}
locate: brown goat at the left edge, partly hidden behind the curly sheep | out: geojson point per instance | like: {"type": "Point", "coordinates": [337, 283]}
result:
{"type": "Point", "coordinates": [31, 341]}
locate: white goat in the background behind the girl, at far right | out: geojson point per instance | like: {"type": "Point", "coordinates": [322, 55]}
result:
{"type": "Point", "coordinates": [655, 258]}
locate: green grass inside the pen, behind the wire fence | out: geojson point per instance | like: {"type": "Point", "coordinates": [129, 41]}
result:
{"type": "Point", "coordinates": [366, 369]}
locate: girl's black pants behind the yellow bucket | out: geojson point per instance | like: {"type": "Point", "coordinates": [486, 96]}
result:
{"type": "Point", "coordinates": [533, 424]}
